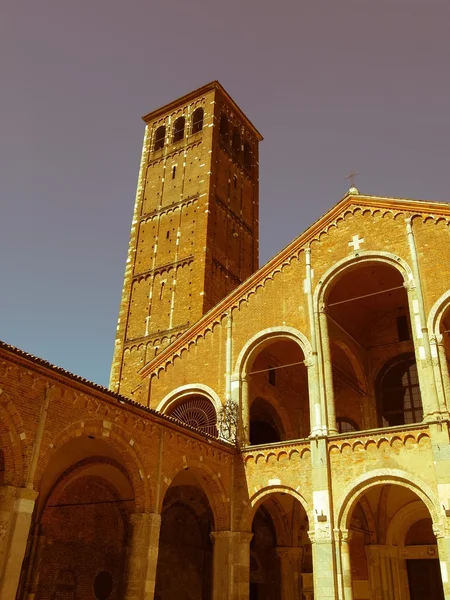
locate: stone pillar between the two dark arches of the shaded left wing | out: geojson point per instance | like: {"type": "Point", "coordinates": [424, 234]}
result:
{"type": "Point", "coordinates": [143, 556]}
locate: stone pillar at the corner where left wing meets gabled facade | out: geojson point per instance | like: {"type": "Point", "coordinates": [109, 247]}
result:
{"type": "Point", "coordinates": [231, 565]}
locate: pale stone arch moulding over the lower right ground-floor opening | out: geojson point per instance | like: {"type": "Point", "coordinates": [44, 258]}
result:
{"type": "Point", "coordinates": [361, 484]}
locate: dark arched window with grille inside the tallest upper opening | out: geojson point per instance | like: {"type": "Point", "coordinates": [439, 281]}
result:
{"type": "Point", "coordinates": [399, 393]}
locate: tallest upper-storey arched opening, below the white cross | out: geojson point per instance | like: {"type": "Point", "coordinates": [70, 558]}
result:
{"type": "Point", "coordinates": [369, 328]}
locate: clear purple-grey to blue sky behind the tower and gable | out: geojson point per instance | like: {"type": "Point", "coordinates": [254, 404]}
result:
{"type": "Point", "coordinates": [333, 85]}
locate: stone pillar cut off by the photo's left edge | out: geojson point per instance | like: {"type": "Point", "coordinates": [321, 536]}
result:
{"type": "Point", "coordinates": [16, 509]}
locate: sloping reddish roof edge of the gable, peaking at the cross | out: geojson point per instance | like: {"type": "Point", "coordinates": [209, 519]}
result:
{"type": "Point", "coordinates": [403, 204]}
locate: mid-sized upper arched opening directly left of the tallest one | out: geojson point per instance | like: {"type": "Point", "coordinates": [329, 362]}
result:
{"type": "Point", "coordinates": [278, 392]}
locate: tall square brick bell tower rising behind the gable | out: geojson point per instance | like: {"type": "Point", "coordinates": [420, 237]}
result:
{"type": "Point", "coordinates": [194, 235]}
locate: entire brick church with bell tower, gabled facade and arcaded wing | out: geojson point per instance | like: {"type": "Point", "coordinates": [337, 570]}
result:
{"type": "Point", "coordinates": [279, 433]}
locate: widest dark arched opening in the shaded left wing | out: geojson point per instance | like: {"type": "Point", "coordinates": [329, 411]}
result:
{"type": "Point", "coordinates": [85, 526]}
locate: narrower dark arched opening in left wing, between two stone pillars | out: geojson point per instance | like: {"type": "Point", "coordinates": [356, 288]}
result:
{"type": "Point", "coordinates": [184, 567]}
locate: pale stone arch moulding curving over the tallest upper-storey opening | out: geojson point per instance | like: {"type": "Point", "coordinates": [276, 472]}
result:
{"type": "Point", "coordinates": [362, 256]}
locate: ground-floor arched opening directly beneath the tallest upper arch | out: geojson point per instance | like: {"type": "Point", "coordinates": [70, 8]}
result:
{"type": "Point", "coordinates": [390, 525]}
